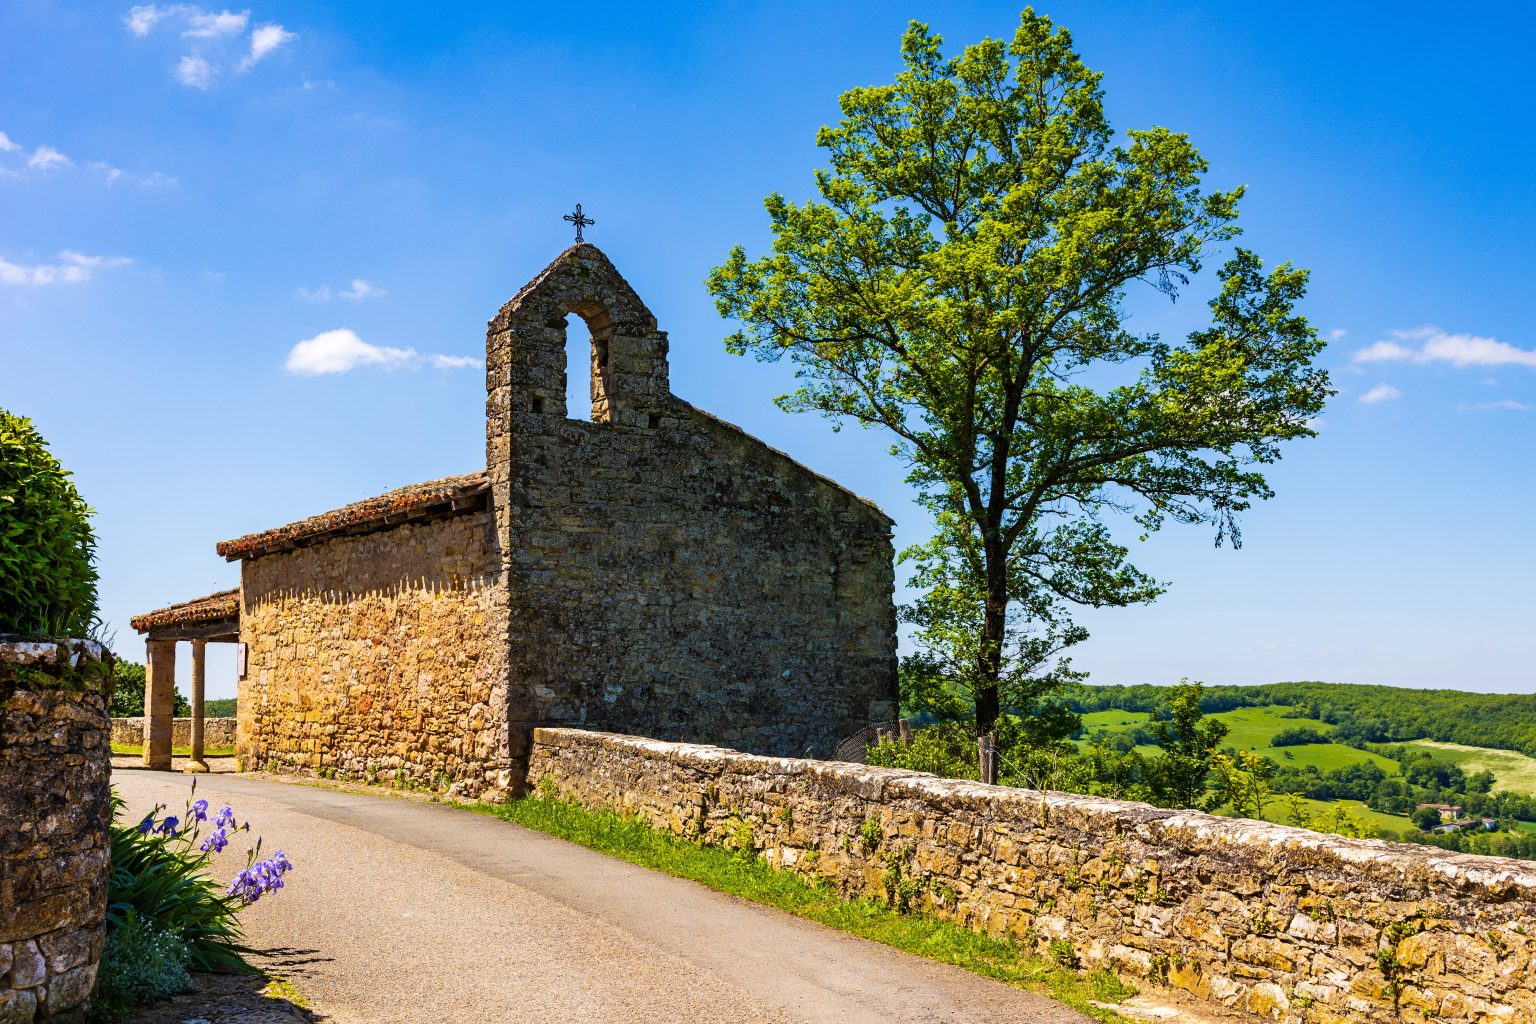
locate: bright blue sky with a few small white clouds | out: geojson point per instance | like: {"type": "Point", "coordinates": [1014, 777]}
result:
{"type": "Point", "coordinates": [190, 193]}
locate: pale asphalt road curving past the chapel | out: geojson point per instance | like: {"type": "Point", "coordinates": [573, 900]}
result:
{"type": "Point", "coordinates": [405, 911]}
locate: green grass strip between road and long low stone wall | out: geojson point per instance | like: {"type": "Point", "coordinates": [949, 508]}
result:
{"type": "Point", "coordinates": [756, 880]}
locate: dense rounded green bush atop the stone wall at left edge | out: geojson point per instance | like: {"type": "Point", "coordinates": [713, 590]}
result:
{"type": "Point", "coordinates": [48, 578]}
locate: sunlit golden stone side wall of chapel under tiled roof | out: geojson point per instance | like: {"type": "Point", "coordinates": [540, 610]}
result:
{"type": "Point", "coordinates": [377, 656]}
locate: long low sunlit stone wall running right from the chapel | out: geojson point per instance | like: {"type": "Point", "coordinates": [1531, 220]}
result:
{"type": "Point", "coordinates": [1270, 920]}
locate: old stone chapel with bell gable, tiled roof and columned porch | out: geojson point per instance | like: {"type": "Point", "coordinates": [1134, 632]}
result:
{"type": "Point", "coordinates": [640, 567]}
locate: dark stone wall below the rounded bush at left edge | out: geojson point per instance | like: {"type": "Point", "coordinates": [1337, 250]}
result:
{"type": "Point", "coordinates": [55, 860]}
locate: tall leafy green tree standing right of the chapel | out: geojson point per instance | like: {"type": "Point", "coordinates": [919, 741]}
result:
{"type": "Point", "coordinates": [962, 283]}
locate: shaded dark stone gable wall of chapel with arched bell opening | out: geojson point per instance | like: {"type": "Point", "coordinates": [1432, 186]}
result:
{"type": "Point", "coordinates": [667, 573]}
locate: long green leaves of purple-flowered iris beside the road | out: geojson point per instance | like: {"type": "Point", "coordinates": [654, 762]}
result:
{"type": "Point", "coordinates": [167, 888]}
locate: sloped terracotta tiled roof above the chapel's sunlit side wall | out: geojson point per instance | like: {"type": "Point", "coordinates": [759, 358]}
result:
{"type": "Point", "coordinates": [391, 509]}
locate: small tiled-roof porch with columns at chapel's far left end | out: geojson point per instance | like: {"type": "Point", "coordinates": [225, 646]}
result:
{"type": "Point", "coordinates": [213, 619]}
